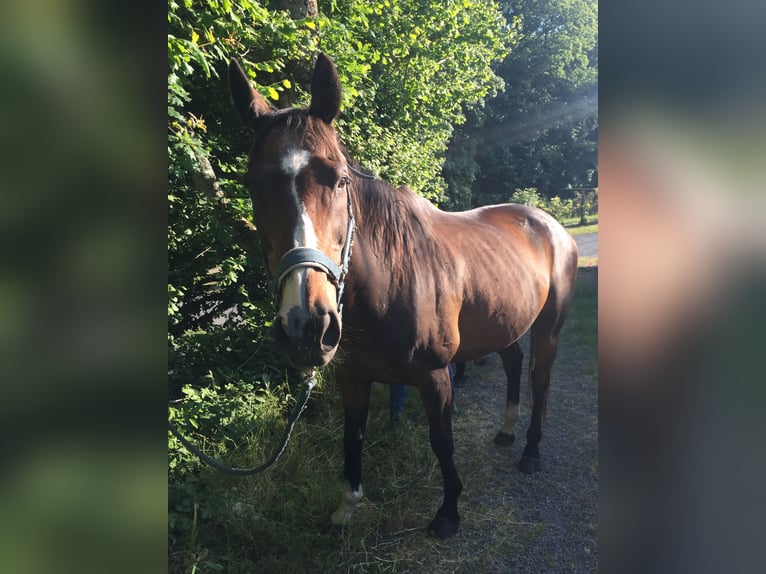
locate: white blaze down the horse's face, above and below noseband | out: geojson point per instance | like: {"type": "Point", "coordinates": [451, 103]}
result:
{"type": "Point", "coordinates": [294, 285]}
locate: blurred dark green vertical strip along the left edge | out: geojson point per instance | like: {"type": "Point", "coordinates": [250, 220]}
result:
{"type": "Point", "coordinates": [83, 286]}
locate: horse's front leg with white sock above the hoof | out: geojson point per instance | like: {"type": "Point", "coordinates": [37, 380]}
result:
{"type": "Point", "coordinates": [356, 400]}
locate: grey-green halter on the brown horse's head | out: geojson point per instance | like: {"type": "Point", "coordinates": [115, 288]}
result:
{"type": "Point", "coordinates": [313, 258]}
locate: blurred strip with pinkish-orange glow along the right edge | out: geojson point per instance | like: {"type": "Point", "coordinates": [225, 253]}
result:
{"type": "Point", "coordinates": [682, 250]}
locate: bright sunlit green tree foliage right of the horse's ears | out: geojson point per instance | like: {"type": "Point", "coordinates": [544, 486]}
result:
{"type": "Point", "coordinates": [409, 67]}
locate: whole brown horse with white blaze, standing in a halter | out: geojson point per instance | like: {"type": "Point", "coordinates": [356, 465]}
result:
{"type": "Point", "coordinates": [418, 287]}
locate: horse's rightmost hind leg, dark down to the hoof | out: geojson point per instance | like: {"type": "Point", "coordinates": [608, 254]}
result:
{"type": "Point", "coordinates": [543, 346]}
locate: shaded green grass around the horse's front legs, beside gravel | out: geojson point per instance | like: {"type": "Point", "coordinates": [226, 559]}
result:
{"type": "Point", "coordinates": [278, 521]}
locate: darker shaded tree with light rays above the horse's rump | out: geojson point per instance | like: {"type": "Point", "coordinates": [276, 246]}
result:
{"type": "Point", "coordinates": [541, 132]}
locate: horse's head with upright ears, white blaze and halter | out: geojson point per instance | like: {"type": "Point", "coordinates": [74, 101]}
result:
{"type": "Point", "coordinates": [299, 183]}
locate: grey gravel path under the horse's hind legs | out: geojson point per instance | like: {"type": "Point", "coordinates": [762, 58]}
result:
{"type": "Point", "coordinates": [553, 514]}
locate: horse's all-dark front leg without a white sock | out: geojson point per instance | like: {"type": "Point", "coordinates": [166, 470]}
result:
{"type": "Point", "coordinates": [437, 399]}
